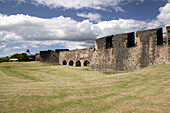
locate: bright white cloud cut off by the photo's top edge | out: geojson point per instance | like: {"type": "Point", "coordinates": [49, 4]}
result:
{"type": "Point", "coordinates": [77, 4]}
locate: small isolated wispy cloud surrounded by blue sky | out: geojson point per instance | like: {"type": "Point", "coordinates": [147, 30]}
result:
{"type": "Point", "coordinates": [91, 16]}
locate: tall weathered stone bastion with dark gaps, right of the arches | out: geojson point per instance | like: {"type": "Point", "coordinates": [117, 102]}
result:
{"type": "Point", "coordinates": [131, 51]}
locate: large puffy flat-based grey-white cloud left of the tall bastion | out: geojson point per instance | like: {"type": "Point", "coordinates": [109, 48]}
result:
{"type": "Point", "coordinates": [25, 27]}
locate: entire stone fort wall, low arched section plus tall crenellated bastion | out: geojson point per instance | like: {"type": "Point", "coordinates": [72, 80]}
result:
{"type": "Point", "coordinates": [120, 52]}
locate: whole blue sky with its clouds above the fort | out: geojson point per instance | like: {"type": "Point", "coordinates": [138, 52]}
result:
{"type": "Point", "coordinates": [54, 24]}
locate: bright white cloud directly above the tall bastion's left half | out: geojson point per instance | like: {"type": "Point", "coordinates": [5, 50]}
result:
{"type": "Point", "coordinates": [118, 26]}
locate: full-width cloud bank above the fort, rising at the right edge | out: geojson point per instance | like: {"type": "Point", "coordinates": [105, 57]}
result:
{"type": "Point", "coordinates": [37, 32]}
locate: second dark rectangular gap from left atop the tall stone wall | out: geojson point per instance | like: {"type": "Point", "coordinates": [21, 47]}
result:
{"type": "Point", "coordinates": [131, 40]}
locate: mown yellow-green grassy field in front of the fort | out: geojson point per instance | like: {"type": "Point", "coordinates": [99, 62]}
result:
{"type": "Point", "coordinates": [42, 87]}
